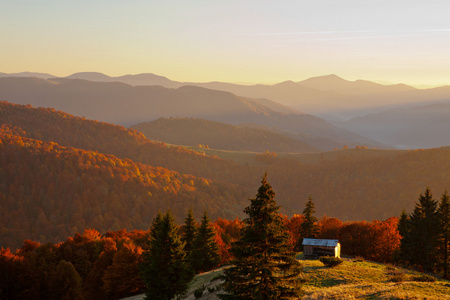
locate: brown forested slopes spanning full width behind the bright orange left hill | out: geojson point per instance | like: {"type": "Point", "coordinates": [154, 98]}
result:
{"type": "Point", "coordinates": [348, 186]}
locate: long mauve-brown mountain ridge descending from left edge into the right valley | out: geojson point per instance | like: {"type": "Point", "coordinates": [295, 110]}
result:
{"type": "Point", "coordinates": [126, 105]}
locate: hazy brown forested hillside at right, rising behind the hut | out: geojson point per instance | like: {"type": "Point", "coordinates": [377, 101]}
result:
{"type": "Point", "coordinates": [358, 188]}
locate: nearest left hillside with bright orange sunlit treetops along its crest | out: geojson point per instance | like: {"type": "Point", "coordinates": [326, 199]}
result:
{"type": "Point", "coordinates": [48, 192]}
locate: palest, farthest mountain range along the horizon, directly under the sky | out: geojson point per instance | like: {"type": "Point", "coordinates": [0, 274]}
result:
{"type": "Point", "coordinates": [327, 96]}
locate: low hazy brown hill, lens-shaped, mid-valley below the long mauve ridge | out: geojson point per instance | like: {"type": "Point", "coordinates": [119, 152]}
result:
{"type": "Point", "coordinates": [193, 132]}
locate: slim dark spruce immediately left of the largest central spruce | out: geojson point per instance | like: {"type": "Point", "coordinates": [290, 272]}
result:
{"type": "Point", "coordinates": [205, 254]}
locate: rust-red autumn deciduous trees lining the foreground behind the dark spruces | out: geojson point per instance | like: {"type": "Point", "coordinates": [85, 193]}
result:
{"type": "Point", "coordinates": [106, 266]}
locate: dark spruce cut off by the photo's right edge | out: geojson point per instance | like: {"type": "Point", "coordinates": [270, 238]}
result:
{"type": "Point", "coordinates": [444, 241]}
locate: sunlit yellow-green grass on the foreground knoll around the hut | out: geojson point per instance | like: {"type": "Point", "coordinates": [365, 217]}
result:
{"type": "Point", "coordinates": [353, 279]}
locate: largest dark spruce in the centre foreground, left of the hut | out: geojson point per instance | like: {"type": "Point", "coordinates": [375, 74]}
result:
{"type": "Point", "coordinates": [264, 265]}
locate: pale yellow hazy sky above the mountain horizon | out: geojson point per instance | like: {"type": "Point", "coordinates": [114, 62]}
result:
{"type": "Point", "coordinates": [237, 41]}
